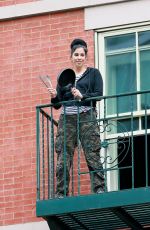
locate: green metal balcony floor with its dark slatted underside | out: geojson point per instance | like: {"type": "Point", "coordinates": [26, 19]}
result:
{"type": "Point", "coordinates": [113, 210]}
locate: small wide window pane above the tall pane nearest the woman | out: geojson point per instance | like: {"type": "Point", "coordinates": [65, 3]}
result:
{"type": "Point", "coordinates": [120, 42]}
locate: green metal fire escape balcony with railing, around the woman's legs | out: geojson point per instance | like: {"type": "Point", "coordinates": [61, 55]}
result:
{"type": "Point", "coordinates": [125, 154]}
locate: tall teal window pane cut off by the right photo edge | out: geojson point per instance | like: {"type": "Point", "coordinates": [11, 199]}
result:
{"type": "Point", "coordinates": [145, 79]}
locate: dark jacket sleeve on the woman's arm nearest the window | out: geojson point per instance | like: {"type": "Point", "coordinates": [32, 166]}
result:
{"type": "Point", "coordinates": [96, 85]}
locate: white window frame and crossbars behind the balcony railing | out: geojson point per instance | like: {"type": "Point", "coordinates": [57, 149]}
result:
{"type": "Point", "coordinates": [100, 62]}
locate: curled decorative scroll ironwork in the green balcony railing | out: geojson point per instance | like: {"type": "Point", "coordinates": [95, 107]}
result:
{"type": "Point", "coordinates": [121, 140]}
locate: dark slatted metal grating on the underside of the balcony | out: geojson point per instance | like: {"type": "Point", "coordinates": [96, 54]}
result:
{"type": "Point", "coordinates": [105, 218]}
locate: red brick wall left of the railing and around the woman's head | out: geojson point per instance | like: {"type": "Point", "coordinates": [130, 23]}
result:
{"type": "Point", "coordinates": [28, 47]}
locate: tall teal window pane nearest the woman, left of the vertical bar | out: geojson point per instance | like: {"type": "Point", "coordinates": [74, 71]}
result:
{"type": "Point", "coordinates": [121, 78]}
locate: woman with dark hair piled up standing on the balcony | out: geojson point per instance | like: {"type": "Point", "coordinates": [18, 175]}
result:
{"type": "Point", "coordinates": [88, 83]}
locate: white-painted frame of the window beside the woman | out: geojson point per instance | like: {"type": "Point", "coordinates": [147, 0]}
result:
{"type": "Point", "coordinates": [100, 62]}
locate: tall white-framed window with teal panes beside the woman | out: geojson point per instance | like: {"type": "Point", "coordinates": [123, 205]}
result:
{"type": "Point", "coordinates": [124, 60]}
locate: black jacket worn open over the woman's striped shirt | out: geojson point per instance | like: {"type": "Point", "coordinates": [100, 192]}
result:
{"type": "Point", "coordinates": [89, 85]}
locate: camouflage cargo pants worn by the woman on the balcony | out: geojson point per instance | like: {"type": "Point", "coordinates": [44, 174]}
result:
{"type": "Point", "coordinates": [66, 142]}
